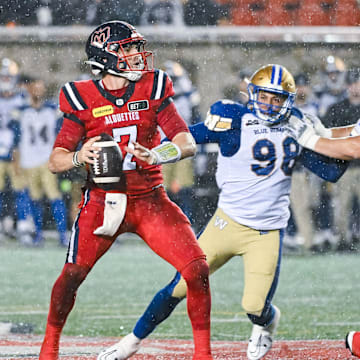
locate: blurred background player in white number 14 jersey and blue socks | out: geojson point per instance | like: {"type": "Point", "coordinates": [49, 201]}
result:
{"type": "Point", "coordinates": [39, 121]}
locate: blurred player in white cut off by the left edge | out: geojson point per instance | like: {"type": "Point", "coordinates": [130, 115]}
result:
{"type": "Point", "coordinates": [10, 99]}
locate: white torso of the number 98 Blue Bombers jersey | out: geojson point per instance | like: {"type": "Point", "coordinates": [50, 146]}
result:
{"type": "Point", "coordinates": [255, 180]}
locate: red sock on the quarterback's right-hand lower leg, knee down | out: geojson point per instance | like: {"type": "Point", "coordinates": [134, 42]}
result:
{"type": "Point", "coordinates": [199, 306]}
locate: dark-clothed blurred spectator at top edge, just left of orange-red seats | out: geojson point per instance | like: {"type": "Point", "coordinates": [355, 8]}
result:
{"type": "Point", "coordinates": [204, 12]}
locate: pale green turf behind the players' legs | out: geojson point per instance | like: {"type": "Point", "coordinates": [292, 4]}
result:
{"type": "Point", "coordinates": [318, 295]}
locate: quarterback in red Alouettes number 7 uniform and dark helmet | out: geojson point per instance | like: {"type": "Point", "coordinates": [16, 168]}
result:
{"type": "Point", "coordinates": [129, 103]}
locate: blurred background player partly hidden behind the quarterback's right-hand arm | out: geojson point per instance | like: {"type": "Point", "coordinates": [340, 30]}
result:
{"type": "Point", "coordinates": [179, 177]}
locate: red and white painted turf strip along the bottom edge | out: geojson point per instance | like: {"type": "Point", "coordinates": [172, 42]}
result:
{"type": "Point", "coordinates": [26, 347]}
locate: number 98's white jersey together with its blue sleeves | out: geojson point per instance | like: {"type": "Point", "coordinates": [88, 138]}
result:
{"type": "Point", "coordinates": [255, 164]}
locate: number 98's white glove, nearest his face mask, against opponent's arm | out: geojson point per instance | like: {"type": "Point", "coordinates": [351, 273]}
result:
{"type": "Point", "coordinates": [303, 132]}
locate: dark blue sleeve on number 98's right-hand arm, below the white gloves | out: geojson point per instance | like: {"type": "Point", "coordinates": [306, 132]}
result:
{"type": "Point", "coordinates": [323, 166]}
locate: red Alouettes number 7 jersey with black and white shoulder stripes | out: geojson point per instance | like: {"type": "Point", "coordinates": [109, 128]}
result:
{"type": "Point", "coordinates": [129, 114]}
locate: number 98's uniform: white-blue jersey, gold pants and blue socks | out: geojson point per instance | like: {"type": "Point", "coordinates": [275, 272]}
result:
{"type": "Point", "coordinates": [255, 163]}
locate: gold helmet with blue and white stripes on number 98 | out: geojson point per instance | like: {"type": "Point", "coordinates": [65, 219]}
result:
{"type": "Point", "coordinates": [274, 79]}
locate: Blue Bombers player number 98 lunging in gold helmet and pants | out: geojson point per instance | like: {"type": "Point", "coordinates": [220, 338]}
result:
{"type": "Point", "coordinates": [255, 161]}
